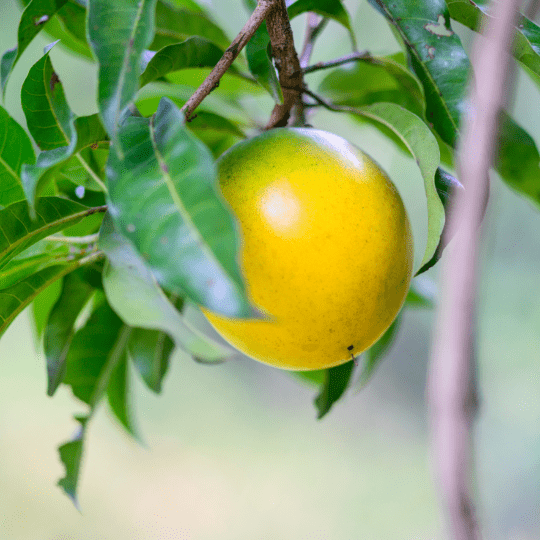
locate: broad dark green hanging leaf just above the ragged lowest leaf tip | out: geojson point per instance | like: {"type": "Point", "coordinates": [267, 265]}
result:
{"type": "Point", "coordinates": [95, 350]}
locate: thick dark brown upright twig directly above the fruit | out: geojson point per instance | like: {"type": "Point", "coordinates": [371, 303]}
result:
{"type": "Point", "coordinates": [287, 64]}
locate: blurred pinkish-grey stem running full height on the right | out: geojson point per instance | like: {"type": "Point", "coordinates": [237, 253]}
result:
{"type": "Point", "coordinates": [451, 384]}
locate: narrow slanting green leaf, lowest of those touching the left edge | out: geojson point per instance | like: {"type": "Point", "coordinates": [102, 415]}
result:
{"type": "Point", "coordinates": [15, 298]}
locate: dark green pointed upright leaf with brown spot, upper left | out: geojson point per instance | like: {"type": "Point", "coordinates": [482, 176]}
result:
{"type": "Point", "coordinates": [48, 116]}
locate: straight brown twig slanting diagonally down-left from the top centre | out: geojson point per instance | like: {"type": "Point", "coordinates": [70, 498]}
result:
{"type": "Point", "coordinates": [264, 7]}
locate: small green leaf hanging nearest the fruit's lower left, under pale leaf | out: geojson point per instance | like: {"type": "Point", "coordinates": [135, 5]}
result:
{"type": "Point", "coordinates": [150, 352]}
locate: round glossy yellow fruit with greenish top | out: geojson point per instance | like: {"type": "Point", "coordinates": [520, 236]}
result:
{"type": "Point", "coordinates": [327, 249]}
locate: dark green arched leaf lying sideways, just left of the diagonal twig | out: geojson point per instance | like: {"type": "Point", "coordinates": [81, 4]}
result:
{"type": "Point", "coordinates": [194, 52]}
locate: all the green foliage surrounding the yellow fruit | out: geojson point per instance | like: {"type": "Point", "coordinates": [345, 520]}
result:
{"type": "Point", "coordinates": [110, 223]}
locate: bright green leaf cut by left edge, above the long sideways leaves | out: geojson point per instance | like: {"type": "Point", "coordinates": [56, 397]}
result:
{"type": "Point", "coordinates": [15, 149]}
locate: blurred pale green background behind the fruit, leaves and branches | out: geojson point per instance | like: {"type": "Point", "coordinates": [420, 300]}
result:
{"type": "Point", "coordinates": [234, 452]}
